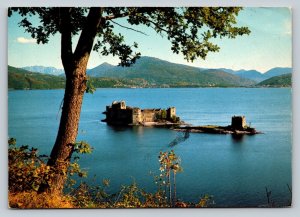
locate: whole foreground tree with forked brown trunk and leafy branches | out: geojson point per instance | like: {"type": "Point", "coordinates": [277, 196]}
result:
{"type": "Point", "coordinates": [188, 29]}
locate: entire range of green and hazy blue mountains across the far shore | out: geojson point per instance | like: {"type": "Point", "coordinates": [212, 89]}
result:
{"type": "Point", "coordinates": [154, 72]}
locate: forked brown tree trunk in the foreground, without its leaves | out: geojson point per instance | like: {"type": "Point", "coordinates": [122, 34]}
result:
{"type": "Point", "coordinates": [75, 69]}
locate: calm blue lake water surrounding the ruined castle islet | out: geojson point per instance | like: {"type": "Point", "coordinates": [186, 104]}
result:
{"type": "Point", "coordinates": [235, 172]}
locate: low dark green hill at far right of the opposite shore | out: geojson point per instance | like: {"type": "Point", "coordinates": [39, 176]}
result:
{"type": "Point", "coordinates": [284, 80]}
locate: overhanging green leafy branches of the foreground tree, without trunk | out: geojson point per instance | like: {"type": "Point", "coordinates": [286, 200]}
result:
{"type": "Point", "coordinates": [189, 29]}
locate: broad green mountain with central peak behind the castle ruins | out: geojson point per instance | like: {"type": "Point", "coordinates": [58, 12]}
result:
{"type": "Point", "coordinates": [159, 72]}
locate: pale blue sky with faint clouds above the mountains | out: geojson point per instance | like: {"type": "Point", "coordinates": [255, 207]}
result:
{"type": "Point", "coordinates": [269, 44]}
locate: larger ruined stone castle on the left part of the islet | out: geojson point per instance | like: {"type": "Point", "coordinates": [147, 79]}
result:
{"type": "Point", "coordinates": [121, 115]}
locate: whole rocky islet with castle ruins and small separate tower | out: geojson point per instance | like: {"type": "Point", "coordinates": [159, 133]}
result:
{"type": "Point", "coordinates": [118, 114]}
